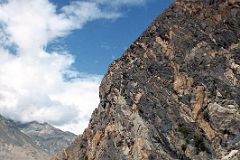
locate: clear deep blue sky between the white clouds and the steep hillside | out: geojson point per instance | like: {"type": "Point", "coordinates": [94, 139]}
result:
{"type": "Point", "coordinates": [100, 42]}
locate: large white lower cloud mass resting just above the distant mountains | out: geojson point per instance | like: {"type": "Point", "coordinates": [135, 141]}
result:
{"type": "Point", "coordinates": [35, 88]}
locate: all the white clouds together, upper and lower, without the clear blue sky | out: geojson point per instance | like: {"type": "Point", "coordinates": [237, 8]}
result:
{"type": "Point", "coordinates": [39, 85]}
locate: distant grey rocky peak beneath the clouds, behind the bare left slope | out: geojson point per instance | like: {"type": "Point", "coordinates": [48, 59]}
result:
{"type": "Point", "coordinates": [46, 136]}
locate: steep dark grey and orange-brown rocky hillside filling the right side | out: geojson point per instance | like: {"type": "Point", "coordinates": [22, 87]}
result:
{"type": "Point", "coordinates": [174, 94]}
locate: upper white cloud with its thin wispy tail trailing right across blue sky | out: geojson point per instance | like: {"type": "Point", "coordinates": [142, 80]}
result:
{"type": "Point", "coordinates": [32, 24]}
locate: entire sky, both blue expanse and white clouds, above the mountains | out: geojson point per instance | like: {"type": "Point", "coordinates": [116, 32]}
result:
{"type": "Point", "coordinates": [54, 53]}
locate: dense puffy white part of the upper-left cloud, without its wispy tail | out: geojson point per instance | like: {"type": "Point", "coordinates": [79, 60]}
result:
{"type": "Point", "coordinates": [31, 24]}
